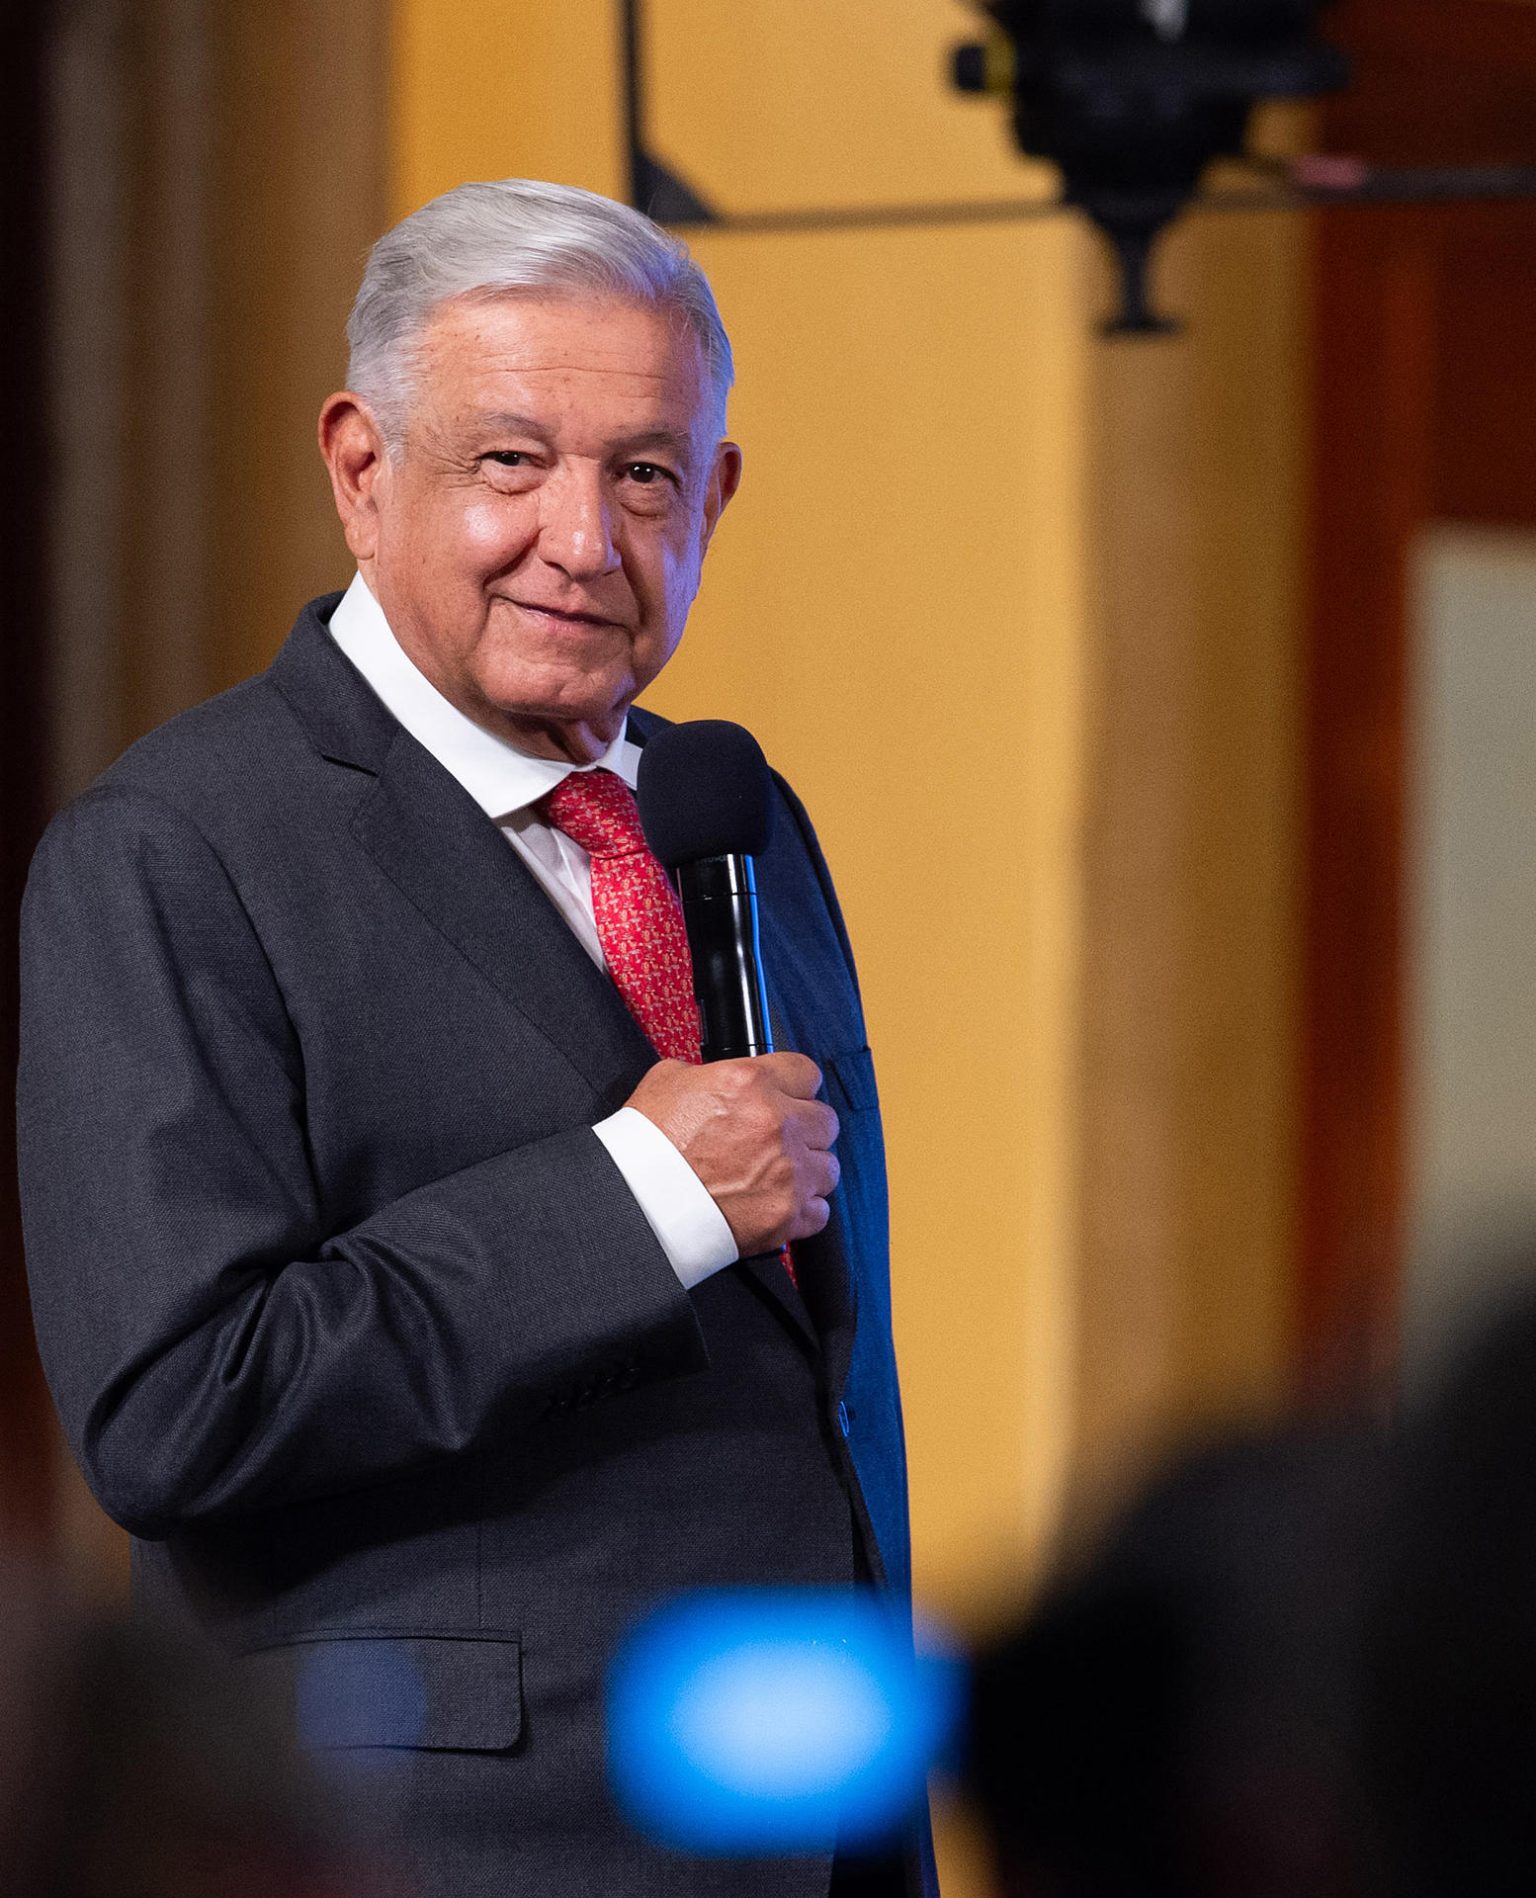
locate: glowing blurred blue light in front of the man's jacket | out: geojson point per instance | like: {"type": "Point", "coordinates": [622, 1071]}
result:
{"type": "Point", "coordinates": [776, 1722]}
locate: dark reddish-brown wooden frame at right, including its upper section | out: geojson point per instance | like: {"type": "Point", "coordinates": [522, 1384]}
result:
{"type": "Point", "coordinates": [1425, 411]}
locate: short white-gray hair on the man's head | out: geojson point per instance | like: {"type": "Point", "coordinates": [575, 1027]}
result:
{"type": "Point", "coordinates": [517, 234]}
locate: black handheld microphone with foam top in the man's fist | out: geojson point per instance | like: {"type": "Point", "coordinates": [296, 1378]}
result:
{"type": "Point", "coordinates": [707, 809]}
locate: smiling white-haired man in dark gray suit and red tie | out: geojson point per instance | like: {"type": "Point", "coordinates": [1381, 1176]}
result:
{"type": "Point", "coordinates": [405, 1286]}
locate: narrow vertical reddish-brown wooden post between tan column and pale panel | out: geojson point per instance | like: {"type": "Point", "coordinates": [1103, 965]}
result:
{"type": "Point", "coordinates": [1377, 286]}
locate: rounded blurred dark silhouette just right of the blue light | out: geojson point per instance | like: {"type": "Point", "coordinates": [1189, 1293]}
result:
{"type": "Point", "coordinates": [1180, 1719]}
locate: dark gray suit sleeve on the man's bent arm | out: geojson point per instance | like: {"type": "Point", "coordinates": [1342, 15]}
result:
{"type": "Point", "coordinates": [210, 1345]}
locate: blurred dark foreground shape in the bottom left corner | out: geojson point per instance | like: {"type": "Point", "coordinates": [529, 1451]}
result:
{"type": "Point", "coordinates": [138, 1768]}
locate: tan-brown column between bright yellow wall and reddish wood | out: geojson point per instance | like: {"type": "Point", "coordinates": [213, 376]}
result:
{"type": "Point", "coordinates": [1193, 794]}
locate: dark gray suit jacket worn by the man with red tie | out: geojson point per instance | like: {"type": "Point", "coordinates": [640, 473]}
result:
{"type": "Point", "coordinates": [352, 1320]}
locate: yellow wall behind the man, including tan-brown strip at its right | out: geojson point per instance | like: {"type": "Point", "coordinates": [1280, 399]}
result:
{"type": "Point", "coordinates": [1017, 612]}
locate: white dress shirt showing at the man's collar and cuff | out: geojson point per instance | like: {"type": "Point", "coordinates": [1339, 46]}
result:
{"type": "Point", "coordinates": [508, 787]}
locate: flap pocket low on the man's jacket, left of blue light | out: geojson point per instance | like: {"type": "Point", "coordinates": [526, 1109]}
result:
{"type": "Point", "coordinates": [434, 1692]}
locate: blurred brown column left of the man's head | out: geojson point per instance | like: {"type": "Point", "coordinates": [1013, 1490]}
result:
{"type": "Point", "coordinates": [219, 174]}
